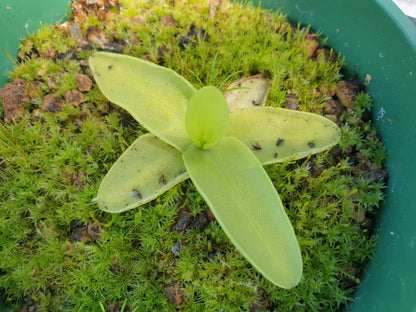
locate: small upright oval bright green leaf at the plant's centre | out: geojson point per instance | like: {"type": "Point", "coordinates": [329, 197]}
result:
{"type": "Point", "coordinates": [207, 117]}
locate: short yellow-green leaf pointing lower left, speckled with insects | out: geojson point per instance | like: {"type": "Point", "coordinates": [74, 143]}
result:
{"type": "Point", "coordinates": [145, 170]}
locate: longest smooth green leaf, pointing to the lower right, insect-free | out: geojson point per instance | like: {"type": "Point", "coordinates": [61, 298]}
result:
{"type": "Point", "coordinates": [247, 206]}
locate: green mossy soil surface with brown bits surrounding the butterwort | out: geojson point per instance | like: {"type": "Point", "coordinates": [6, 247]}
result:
{"type": "Point", "coordinates": [59, 252]}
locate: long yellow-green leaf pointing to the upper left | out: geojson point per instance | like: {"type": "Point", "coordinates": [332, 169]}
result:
{"type": "Point", "coordinates": [155, 96]}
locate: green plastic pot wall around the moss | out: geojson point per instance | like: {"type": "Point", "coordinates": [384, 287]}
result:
{"type": "Point", "coordinates": [375, 38]}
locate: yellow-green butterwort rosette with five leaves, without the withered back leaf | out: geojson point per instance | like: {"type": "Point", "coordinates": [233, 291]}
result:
{"type": "Point", "coordinates": [193, 134]}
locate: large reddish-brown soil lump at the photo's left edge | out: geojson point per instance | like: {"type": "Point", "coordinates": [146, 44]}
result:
{"type": "Point", "coordinates": [13, 96]}
